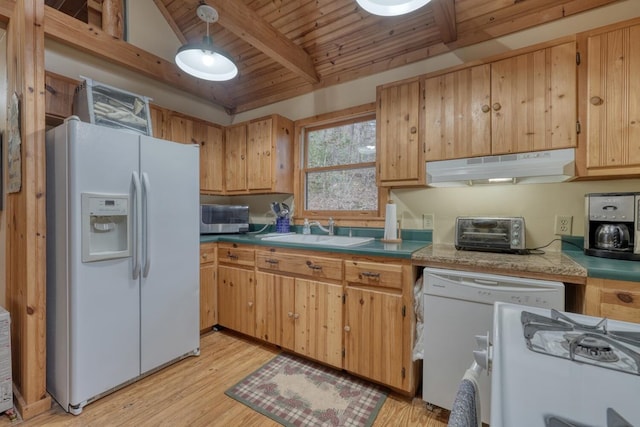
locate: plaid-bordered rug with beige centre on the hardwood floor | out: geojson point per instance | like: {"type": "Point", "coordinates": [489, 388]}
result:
{"type": "Point", "coordinates": [296, 392]}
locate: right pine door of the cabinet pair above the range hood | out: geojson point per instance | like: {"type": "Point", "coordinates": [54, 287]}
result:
{"type": "Point", "coordinates": [533, 98]}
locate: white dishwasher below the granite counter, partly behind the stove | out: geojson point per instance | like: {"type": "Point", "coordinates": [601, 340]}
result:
{"type": "Point", "coordinates": [458, 305]}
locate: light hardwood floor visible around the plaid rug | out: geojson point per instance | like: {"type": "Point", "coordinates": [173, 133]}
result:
{"type": "Point", "coordinates": [191, 393]}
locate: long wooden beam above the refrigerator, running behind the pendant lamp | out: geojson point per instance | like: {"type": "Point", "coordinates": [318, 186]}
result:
{"type": "Point", "coordinates": [92, 40]}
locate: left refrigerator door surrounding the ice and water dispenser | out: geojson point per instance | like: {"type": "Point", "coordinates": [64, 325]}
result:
{"type": "Point", "coordinates": [103, 298]}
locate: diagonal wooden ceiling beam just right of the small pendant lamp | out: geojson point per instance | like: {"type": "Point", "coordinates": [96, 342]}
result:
{"type": "Point", "coordinates": [250, 27]}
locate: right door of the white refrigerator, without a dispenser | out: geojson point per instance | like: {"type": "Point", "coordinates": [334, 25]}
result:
{"type": "Point", "coordinates": [170, 251]}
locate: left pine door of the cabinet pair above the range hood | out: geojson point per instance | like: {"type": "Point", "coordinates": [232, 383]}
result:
{"type": "Point", "coordinates": [457, 114]}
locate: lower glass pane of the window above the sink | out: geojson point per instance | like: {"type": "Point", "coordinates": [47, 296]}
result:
{"type": "Point", "coordinates": [344, 190]}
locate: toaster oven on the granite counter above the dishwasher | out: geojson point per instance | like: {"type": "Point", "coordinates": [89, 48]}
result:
{"type": "Point", "coordinates": [491, 234]}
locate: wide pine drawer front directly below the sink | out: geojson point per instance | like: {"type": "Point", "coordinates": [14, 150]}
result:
{"type": "Point", "coordinates": [312, 266]}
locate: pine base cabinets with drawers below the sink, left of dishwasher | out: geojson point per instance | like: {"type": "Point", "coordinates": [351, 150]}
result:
{"type": "Point", "coordinates": [353, 313]}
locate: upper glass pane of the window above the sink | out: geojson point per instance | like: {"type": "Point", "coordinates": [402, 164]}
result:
{"type": "Point", "coordinates": [342, 145]}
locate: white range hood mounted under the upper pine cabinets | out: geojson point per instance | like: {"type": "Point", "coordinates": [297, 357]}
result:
{"type": "Point", "coordinates": [520, 168]}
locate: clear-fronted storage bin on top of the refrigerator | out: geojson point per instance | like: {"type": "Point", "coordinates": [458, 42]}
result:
{"type": "Point", "coordinates": [104, 105]}
